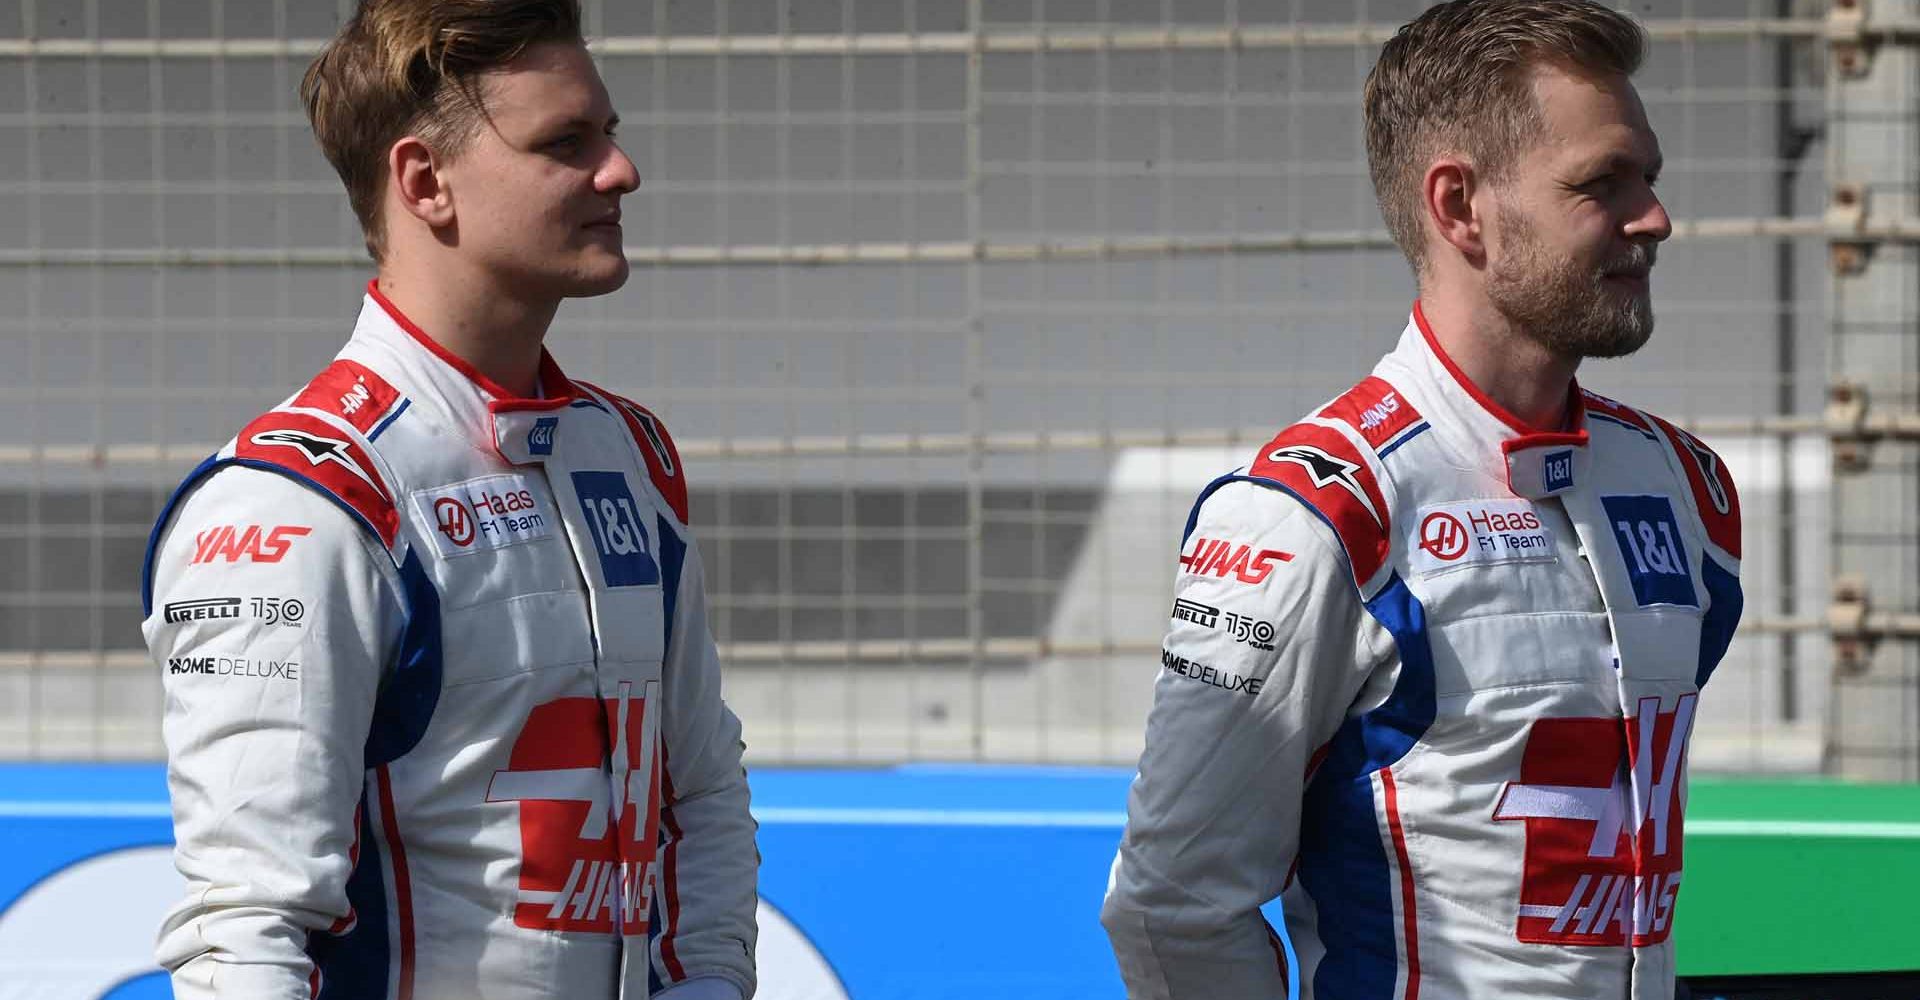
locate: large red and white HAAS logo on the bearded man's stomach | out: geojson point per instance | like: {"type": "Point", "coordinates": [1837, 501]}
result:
{"type": "Point", "coordinates": [1602, 805]}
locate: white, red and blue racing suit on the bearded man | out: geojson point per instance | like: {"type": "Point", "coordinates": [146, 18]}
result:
{"type": "Point", "coordinates": [1431, 680]}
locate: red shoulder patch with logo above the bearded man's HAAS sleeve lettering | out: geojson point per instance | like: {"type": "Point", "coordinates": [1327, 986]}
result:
{"type": "Point", "coordinates": [1324, 469]}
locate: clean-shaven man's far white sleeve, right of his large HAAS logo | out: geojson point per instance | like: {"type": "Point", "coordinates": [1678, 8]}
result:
{"type": "Point", "coordinates": [709, 865]}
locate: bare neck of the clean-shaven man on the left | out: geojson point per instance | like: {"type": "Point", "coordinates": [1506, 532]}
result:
{"type": "Point", "coordinates": [494, 333]}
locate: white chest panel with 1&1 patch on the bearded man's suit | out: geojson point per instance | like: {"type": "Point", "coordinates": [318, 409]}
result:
{"type": "Point", "coordinates": [1547, 592]}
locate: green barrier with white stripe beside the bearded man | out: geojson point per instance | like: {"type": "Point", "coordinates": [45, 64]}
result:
{"type": "Point", "coordinates": [1792, 878]}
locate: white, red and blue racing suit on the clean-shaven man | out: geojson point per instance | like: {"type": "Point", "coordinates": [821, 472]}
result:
{"type": "Point", "coordinates": [443, 707]}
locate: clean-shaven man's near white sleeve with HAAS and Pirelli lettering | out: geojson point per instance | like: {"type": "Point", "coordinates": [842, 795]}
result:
{"type": "Point", "coordinates": [272, 619]}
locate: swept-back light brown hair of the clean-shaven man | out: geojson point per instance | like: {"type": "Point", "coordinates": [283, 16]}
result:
{"type": "Point", "coordinates": [414, 68]}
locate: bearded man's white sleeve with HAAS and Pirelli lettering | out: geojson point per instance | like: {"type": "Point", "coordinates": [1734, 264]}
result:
{"type": "Point", "coordinates": [1214, 811]}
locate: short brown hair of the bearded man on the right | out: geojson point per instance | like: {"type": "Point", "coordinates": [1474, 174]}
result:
{"type": "Point", "coordinates": [1460, 80]}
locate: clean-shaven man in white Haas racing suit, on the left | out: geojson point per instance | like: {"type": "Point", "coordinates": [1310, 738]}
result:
{"type": "Point", "coordinates": [443, 709]}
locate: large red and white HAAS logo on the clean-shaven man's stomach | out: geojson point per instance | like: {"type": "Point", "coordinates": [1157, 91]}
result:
{"type": "Point", "coordinates": [587, 844]}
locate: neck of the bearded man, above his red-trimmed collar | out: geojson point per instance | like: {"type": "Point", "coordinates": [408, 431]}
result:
{"type": "Point", "coordinates": [1504, 364]}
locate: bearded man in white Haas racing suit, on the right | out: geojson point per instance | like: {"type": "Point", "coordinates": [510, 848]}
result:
{"type": "Point", "coordinates": [1491, 596]}
